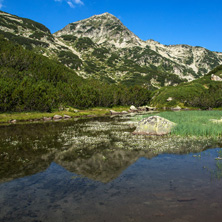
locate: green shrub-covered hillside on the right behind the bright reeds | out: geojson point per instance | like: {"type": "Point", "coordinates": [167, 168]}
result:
{"type": "Point", "coordinates": [203, 93]}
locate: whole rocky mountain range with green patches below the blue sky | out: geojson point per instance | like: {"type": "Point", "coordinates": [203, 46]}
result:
{"type": "Point", "coordinates": [102, 47]}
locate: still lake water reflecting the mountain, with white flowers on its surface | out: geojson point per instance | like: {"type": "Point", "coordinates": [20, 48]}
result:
{"type": "Point", "coordinates": [97, 170]}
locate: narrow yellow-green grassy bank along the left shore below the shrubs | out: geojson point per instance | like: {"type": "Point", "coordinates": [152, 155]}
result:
{"type": "Point", "coordinates": [7, 118]}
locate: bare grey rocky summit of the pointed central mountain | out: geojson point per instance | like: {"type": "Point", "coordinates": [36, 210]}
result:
{"type": "Point", "coordinates": [102, 28]}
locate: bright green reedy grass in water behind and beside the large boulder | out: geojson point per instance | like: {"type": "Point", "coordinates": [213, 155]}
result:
{"type": "Point", "coordinates": [194, 123]}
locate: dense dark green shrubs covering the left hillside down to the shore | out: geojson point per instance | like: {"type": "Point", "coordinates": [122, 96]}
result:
{"type": "Point", "coordinates": [31, 82]}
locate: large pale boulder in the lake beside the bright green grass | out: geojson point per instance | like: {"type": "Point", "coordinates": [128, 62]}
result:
{"type": "Point", "coordinates": [154, 125]}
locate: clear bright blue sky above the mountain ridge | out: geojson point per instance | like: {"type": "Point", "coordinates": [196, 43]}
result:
{"type": "Point", "coordinates": [192, 22]}
